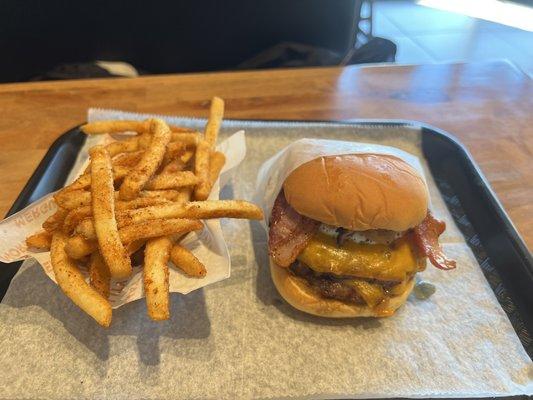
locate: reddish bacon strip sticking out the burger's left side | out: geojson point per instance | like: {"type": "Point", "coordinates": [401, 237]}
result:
{"type": "Point", "coordinates": [289, 232]}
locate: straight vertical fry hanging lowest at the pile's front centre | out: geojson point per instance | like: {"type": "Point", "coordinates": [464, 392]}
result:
{"type": "Point", "coordinates": [155, 277]}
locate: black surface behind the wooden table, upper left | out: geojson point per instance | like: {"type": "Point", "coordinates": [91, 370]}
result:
{"type": "Point", "coordinates": [163, 36]}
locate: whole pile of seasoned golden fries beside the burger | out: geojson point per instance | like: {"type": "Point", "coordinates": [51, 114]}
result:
{"type": "Point", "coordinates": [138, 198]}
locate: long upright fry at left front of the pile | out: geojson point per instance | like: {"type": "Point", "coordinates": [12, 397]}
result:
{"type": "Point", "coordinates": [103, 205]}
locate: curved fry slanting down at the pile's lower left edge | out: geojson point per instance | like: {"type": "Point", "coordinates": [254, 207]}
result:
{"type": "Point", "coordinates": [72, 283]}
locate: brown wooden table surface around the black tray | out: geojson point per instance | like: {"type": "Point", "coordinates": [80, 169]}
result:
{"type": "Point", "coordinates": [488, 106]}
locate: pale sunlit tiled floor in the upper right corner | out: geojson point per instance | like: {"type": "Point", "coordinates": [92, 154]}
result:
{"type": "Point", "coordinates": [425, 35]}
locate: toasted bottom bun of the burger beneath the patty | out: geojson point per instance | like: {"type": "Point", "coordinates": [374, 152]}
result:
{"type": "Point", "coordinates": [301, 296]}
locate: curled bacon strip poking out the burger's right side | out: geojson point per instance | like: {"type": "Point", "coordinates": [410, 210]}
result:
{"type": "Point", "coordinates": [426, 236]}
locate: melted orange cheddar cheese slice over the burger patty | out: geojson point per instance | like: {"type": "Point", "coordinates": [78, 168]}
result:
{"type": "Point", "coordinates": [394, 262]}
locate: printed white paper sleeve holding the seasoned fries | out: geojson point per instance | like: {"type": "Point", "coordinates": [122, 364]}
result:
{"type": "Point", "coordinates": [208, 245]}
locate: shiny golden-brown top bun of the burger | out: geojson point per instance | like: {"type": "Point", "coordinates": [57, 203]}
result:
{"type": "Point", "coordinates": [359, 192]}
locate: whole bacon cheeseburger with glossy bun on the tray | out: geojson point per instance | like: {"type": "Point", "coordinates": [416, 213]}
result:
{"type": "Point", "coordinates": [348, 233]}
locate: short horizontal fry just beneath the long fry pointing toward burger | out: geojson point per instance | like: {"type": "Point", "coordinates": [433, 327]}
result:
{"type": "Point", "coordinates": [158, 227]}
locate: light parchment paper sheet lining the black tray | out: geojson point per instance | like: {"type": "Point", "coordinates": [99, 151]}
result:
{"type": "Point", "coordinates": [238, 339]}
